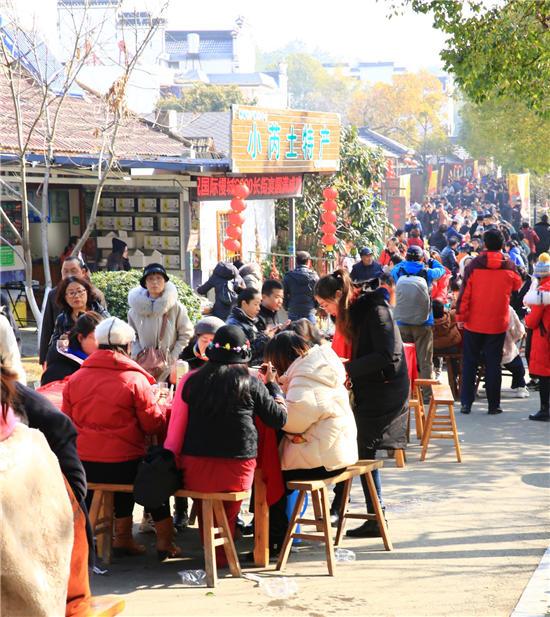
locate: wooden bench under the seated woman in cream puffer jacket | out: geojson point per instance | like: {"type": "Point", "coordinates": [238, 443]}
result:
{"type": "Point", "coordinates": [321, 508]}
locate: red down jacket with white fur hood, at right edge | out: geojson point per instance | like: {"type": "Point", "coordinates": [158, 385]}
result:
{"type": "Point", "coordinates": [538, 320]}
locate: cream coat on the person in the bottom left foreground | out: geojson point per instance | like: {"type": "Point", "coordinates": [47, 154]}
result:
{"type": "Point", "coordinates": [36, 538]}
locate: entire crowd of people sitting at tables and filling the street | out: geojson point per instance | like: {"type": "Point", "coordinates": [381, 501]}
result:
{"type": "Point", "coordinates": [465, 276]}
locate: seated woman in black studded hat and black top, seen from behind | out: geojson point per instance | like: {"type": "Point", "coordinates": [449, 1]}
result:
{"type": "Point", "coordinates": [212, 431]}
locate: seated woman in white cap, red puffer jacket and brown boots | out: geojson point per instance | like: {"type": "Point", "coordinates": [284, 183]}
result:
{"type": "Point", "coordinates": [111, 403]}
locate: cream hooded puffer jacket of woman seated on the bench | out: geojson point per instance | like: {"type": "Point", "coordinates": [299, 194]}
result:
{"type": "Point", "coordinates": [319, 412]}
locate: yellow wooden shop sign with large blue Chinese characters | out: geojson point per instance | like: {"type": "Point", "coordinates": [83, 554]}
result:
{"type": "Point", "coordinates": [284, 140]}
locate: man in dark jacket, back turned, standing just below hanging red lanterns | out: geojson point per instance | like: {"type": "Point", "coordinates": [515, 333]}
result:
{"type": "Point", "coordinates": [298, 285]}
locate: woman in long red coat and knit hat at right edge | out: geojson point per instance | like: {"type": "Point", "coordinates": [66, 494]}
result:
{"type": "Point", "coordinates": [538, 320]}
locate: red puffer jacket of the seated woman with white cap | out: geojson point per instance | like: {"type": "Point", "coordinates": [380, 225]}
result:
{"type": "Point", "coordinates": [113, 419]}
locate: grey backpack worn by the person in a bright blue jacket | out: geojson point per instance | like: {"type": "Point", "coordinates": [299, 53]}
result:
{"type": "Point", "coordinates": [413, 303]}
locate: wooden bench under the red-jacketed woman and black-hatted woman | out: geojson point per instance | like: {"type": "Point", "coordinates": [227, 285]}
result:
{"type": "Point", "coordinates": [102, 524]}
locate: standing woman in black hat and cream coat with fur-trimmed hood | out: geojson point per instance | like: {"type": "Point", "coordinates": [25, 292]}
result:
{"type": "Point", "coordinates": [149, 303]}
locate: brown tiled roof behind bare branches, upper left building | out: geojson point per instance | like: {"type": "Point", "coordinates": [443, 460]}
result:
{"type": "Point", "coordinates": [79, 129]}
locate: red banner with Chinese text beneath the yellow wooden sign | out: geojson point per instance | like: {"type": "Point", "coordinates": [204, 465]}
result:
{"type": "Point", "coordinates": [263, 186]}
